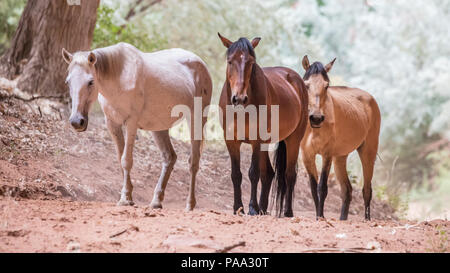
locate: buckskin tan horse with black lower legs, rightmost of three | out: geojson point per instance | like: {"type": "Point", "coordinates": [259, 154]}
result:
{"type": "Point", "coordinates": [341, 121]}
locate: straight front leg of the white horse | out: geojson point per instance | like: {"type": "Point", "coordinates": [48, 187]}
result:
{"type": "Point", "coordinates": [127, 163]}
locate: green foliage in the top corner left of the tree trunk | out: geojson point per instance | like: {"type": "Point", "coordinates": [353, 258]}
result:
{"type": "Point", "coordinates": [10, 11]}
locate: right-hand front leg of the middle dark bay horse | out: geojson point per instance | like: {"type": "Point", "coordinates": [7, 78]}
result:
{"type": "Point", "coordinates": [253, 174]}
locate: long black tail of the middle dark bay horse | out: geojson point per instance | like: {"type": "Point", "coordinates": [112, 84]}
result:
{"type": "Point", "coordinates": [280, 175]}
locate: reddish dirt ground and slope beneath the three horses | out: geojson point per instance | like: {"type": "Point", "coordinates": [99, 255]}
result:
{"type": "Point", "coordinates": [58, 190]}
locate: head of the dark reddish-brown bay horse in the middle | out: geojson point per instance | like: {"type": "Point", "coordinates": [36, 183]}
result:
{"type": "Point", "coordinates": [240, 58]}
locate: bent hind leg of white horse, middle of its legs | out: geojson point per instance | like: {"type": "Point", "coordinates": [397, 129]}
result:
{"type": "Point", "coordinates": [164, 144]}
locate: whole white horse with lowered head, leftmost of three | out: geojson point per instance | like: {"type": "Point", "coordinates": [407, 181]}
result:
{"type": "Point", "coordinates": [139, 90]}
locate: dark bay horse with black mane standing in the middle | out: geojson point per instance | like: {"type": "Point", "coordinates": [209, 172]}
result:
{"type": "Point", "coordinates": [247, 84]}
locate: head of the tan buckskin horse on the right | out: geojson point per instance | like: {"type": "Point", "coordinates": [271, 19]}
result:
{"type": "Point", "coordinates": [317, 82]}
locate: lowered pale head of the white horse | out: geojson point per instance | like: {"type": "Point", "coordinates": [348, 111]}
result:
{"type": "Point", "coordinates": [82, 81]}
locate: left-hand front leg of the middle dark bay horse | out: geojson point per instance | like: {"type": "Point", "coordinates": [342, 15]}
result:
{"type": "Point", "coordinates": [236, 175]}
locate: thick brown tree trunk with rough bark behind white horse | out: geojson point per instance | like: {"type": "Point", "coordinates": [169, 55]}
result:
{"type": "Point", "coordinates": [46, 26]}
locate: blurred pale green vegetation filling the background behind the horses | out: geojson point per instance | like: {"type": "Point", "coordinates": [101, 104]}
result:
{"type": "Point", "coordinates": [399, 51]}
